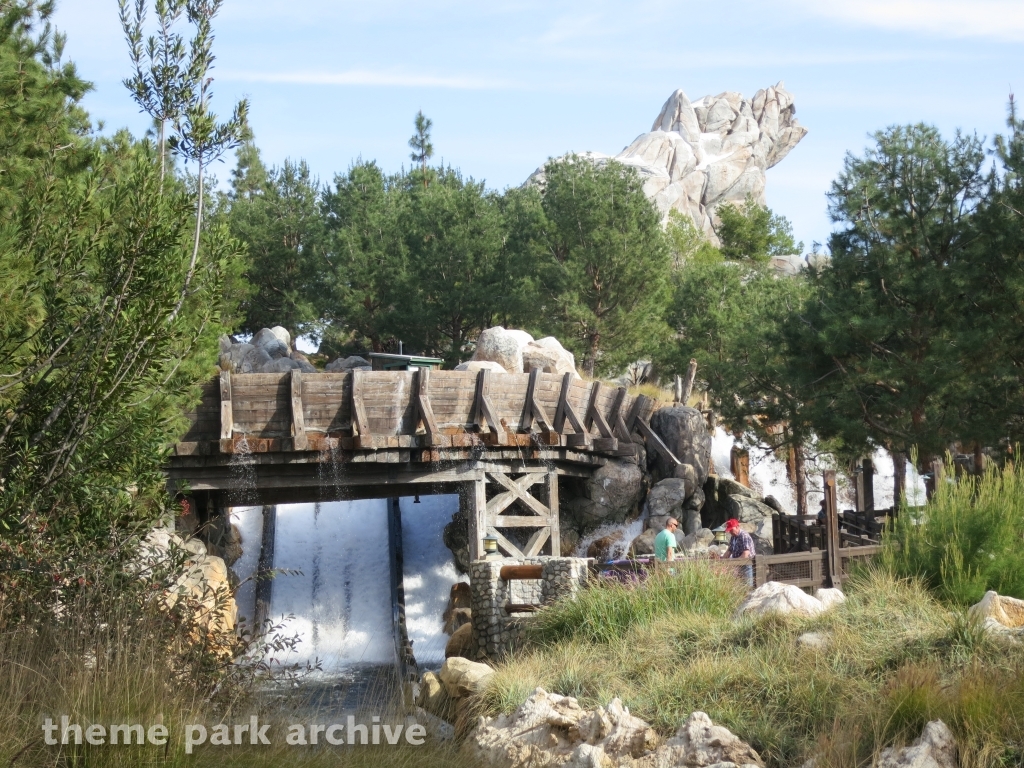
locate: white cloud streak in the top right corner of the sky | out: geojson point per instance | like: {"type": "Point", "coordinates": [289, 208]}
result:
{"type": "Point", "coordinates": [1002, 20]}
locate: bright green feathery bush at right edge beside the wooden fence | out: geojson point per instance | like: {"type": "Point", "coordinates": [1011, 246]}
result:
{"type": "Point", "coordinates": [968, 538]}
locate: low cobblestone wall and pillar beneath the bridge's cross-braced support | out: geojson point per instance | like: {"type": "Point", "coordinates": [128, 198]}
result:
{"type": "Point", "coordinates": [495, 631]}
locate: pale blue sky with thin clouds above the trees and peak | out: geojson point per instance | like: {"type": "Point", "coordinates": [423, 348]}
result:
{"type": "Point", "coordinates": [510, 83]}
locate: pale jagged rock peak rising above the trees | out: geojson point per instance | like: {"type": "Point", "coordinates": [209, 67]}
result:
{"type": "Point", "coordinates": [700, 155]}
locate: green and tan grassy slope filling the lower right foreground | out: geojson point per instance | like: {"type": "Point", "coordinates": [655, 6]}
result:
{"type": "Point", "coordinates": [895, 657]}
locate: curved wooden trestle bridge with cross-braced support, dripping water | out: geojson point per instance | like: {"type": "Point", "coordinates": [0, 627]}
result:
{"type": "Point", "coordinates": [499, 441]}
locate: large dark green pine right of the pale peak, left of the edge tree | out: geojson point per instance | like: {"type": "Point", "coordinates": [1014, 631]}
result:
{"type": "Point", "coordinates": [888, 338]}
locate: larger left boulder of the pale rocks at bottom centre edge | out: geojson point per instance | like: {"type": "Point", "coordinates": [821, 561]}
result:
{"type": "Point", "coordinates": [549, 730]}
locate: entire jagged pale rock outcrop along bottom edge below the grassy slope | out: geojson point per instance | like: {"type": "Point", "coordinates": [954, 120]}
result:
{"type": "Point", "coordinates": [549, 730]}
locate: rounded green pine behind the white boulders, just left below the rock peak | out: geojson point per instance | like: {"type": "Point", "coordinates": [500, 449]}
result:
{"type": "Point", "coordinates": [605, 279]}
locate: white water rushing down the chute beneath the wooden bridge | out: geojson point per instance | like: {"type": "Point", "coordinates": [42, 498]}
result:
{"type": "Point", "coordinates": [339, 605]}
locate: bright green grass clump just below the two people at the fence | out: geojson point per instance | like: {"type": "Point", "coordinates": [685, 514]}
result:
{"type": "Point", "coordinates": [605, 613]}
